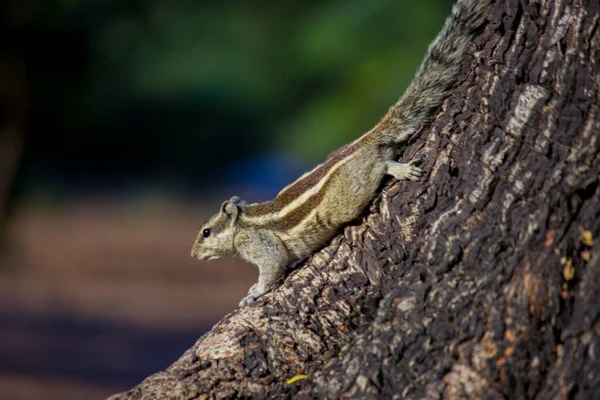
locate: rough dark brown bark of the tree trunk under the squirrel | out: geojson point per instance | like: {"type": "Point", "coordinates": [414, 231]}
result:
{"type": "Point", "coordinates": [482, 281]}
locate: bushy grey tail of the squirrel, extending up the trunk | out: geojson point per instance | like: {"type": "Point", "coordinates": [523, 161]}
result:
{"type": "Point", "coordinates": [438, 72]}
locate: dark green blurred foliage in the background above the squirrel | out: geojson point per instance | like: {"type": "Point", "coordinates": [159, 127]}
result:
{"type": "Point", "coordinates": [183, 88]}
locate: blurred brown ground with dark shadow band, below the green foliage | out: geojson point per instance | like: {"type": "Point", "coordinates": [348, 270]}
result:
{"type": "Point", "coordinates": [95, 295]}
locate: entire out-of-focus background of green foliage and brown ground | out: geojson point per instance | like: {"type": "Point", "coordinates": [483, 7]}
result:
{"type": "Point", "coordinates": [124, 124]}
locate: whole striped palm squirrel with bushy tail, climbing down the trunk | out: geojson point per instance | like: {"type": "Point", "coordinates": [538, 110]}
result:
{"type": "Point", "coordinates": [306, 214]}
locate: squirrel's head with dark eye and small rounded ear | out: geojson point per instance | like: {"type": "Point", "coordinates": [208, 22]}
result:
{"type": "Point", "coordinates": [215, 238]}
